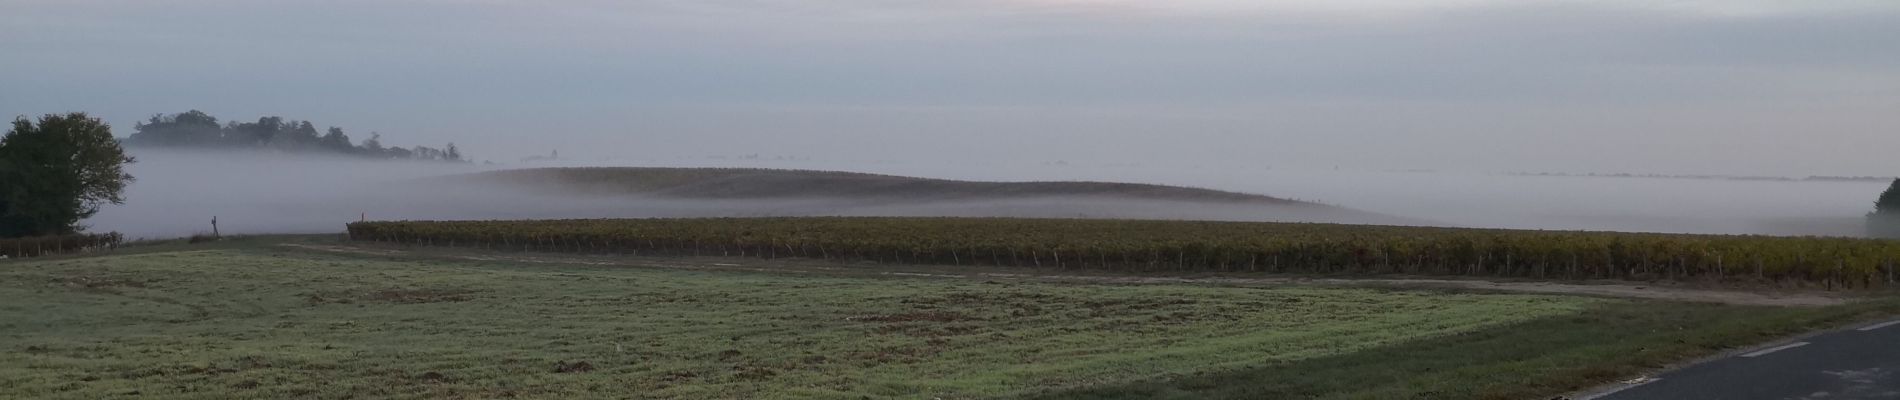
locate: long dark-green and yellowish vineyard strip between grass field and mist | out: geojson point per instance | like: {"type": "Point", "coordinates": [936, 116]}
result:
{"type": "Point", "coordinates": [1188, 247]}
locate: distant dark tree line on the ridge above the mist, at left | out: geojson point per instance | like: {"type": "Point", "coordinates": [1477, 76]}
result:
{"type": "Point", "coordinates": [199, 130]}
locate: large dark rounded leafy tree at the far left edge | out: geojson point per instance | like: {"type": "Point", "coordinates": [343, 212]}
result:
{"type": "Point", "coordinates": [58, 173]}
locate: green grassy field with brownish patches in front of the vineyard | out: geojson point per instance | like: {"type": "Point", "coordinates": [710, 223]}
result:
{"type": "Point", "coordinates": [259, 321]}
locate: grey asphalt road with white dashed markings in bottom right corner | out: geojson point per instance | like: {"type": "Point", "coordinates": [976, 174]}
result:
{"type": "Point", "coordinates": [1852, 365]}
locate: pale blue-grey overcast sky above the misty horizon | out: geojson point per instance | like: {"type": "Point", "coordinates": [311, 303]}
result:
{"type": "Point", "coordinates": [1644, 86]}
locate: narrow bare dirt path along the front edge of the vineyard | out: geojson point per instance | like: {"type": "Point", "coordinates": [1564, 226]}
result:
{"type": "Point", "coordinates": [812, 266]}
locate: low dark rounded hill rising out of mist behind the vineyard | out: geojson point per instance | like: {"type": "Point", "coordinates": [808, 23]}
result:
{"type": "Point", "coordinates": [774, 192]}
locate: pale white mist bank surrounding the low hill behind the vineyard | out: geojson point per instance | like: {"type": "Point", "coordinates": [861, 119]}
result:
{"type": "Point", "coordinates": [256, 192]}
